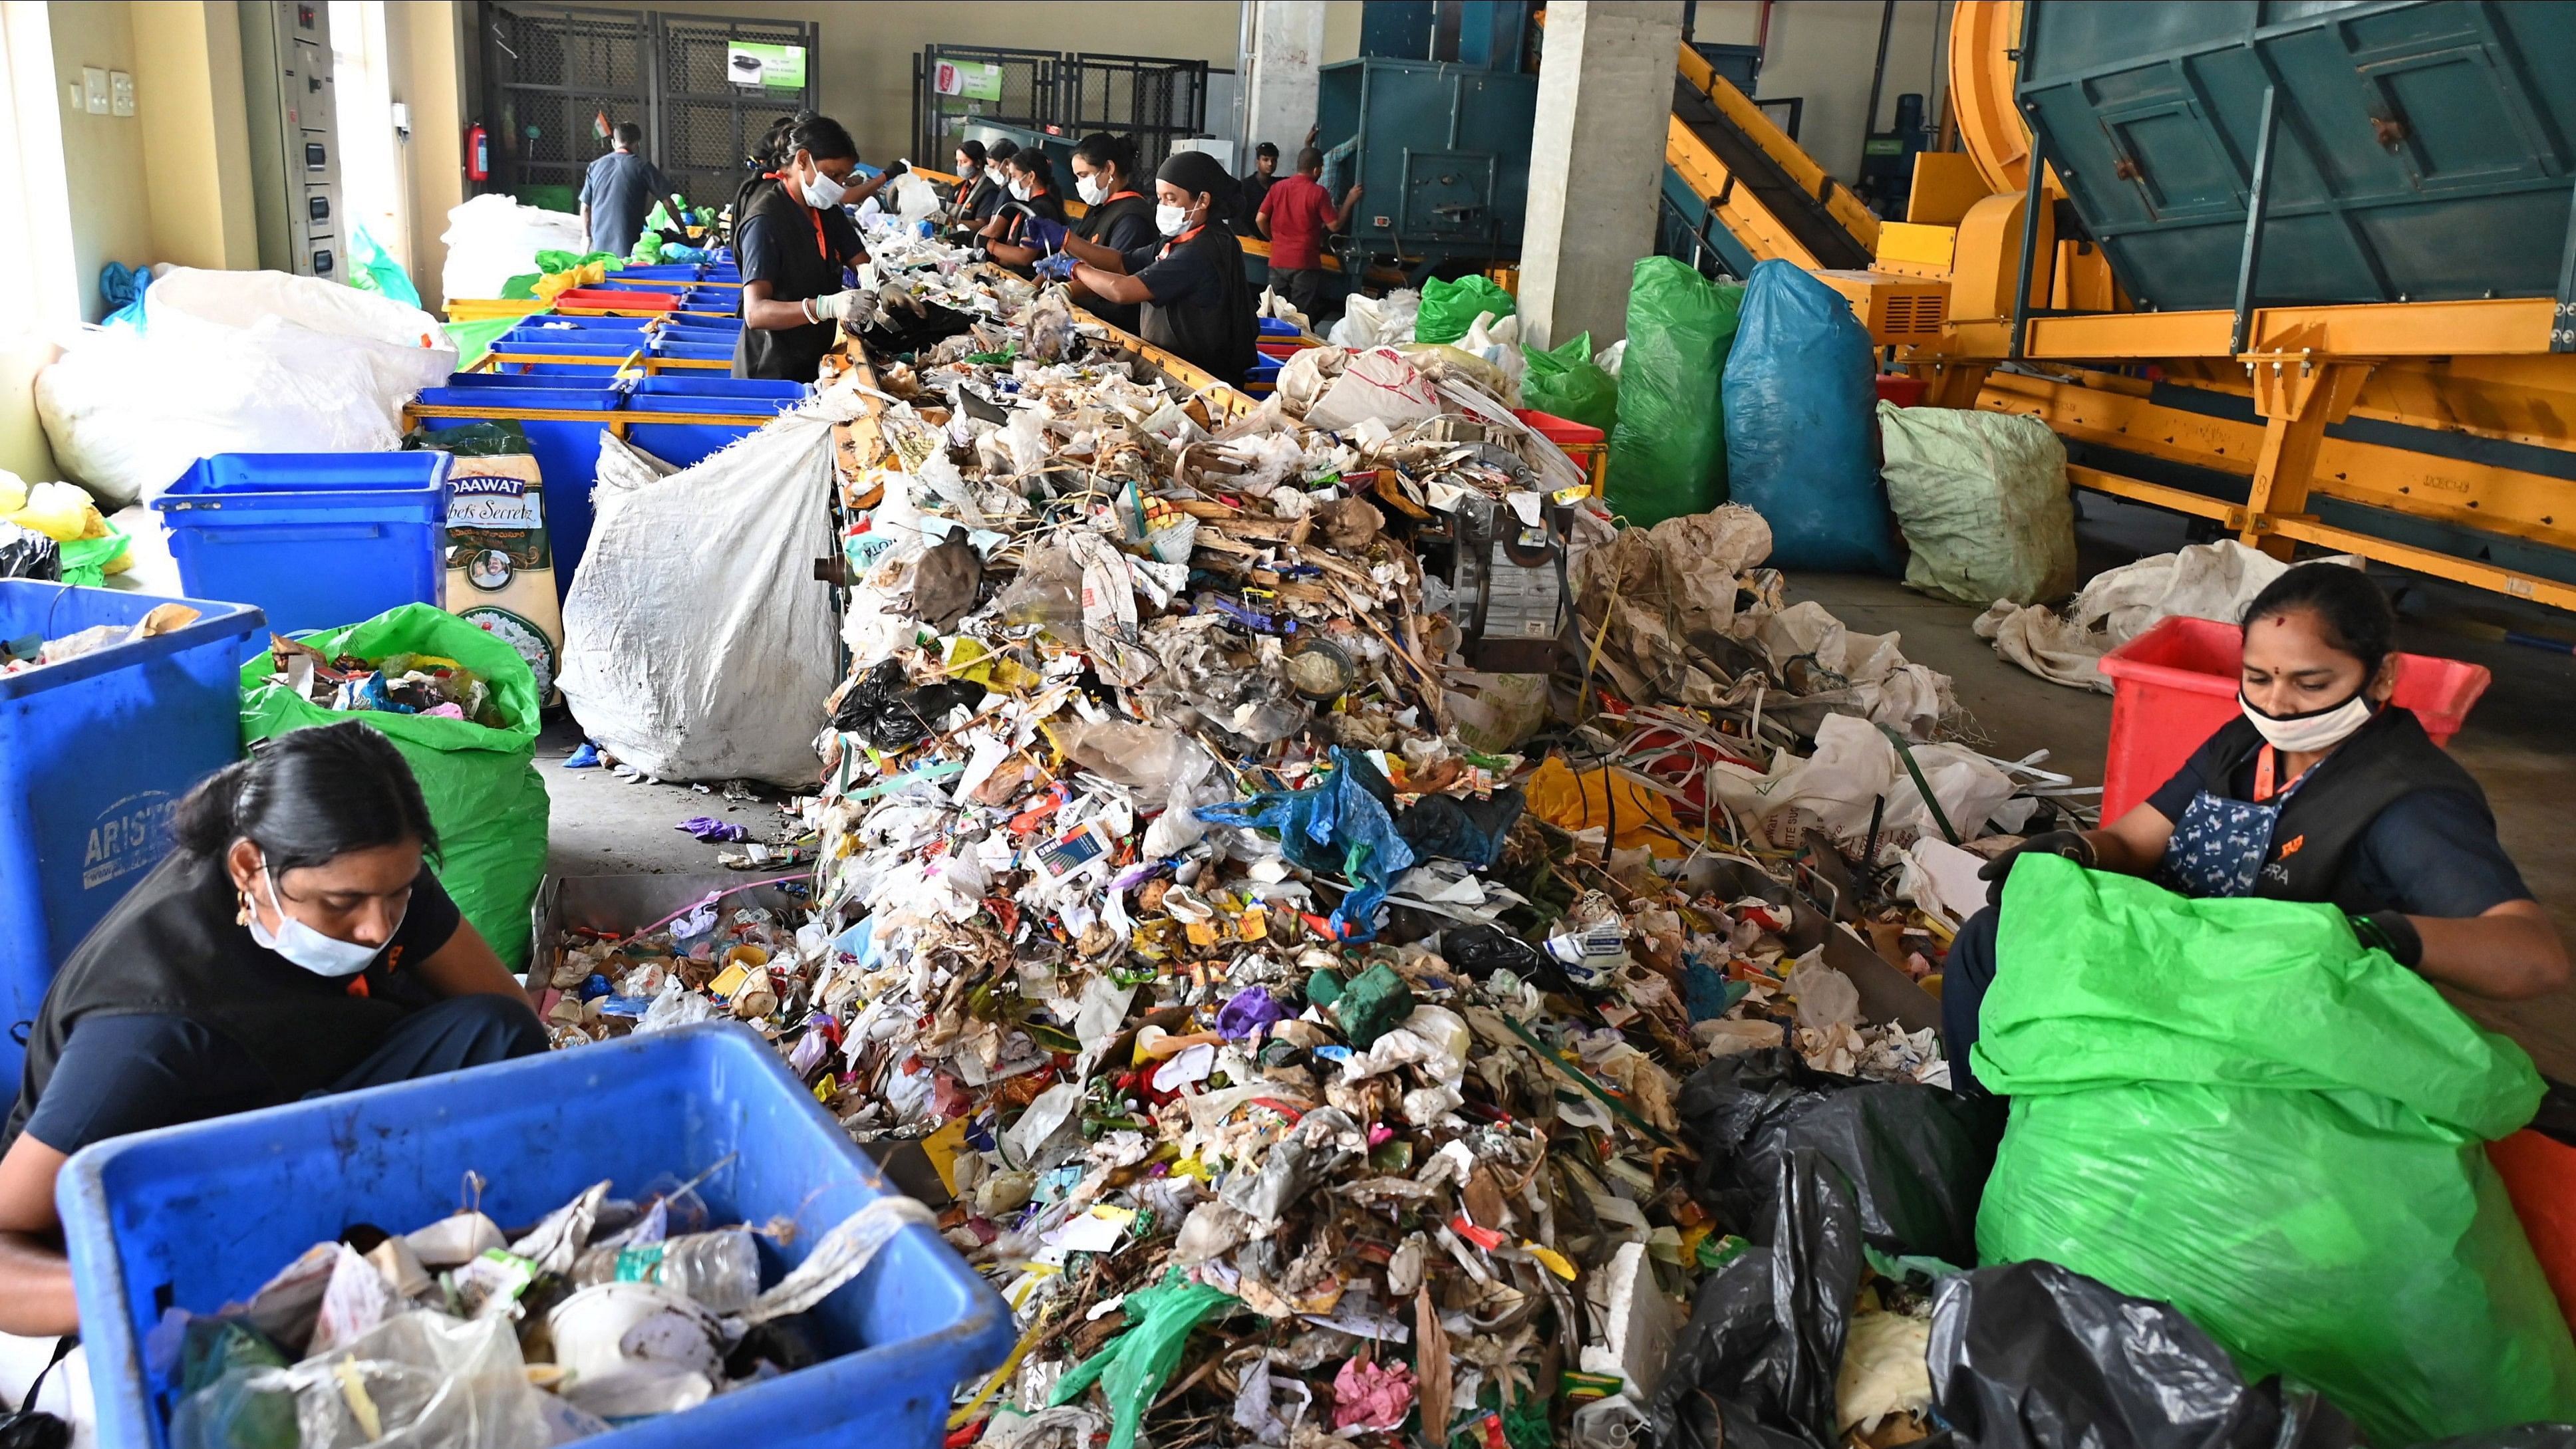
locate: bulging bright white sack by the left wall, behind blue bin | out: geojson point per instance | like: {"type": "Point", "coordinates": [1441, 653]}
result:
{"type": "Point", "coordinates": [236, 364]}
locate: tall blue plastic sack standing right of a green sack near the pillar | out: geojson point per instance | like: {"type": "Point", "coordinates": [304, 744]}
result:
{"type": "Point", "coordinates": [1802, 436]}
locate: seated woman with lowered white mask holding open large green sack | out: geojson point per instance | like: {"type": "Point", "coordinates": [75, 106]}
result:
{"type": "Point", "coordinates": [2320, 791]}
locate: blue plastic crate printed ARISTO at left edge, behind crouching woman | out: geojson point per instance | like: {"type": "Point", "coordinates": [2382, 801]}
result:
{"type": "Point", "coordinates": [97, 753]}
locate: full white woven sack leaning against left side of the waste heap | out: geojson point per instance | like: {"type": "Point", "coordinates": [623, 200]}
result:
{"type": "Point", "coordinates": [697, 642]}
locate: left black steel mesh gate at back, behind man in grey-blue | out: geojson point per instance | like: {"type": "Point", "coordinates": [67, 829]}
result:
{"type": "Point", "coordinates": [550, 71]}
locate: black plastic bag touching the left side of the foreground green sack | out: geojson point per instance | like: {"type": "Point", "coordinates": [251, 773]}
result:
{"type": "Point", "coordinates": [1915, 1157]}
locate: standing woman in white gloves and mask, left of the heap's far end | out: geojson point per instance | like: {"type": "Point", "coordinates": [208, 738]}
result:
{"type": "Point", "coordinates": [795, 241]}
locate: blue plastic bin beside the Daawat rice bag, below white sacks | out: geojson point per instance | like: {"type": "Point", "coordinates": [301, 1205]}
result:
{"type": "Point", "coordinates": [313, 539]}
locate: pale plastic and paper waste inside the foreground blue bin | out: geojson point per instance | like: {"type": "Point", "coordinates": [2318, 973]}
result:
{"type": "Point", "coordinates": [601, 1314]}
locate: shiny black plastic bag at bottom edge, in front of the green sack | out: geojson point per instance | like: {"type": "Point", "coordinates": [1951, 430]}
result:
{"type": "Point", "coordinates": [2044, 1358]}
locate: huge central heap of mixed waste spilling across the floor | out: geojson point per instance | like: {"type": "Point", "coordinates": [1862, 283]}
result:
{"type": "Point", "coordinates": [1264, 925]}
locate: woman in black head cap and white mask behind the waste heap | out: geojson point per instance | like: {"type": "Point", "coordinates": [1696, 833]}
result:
{"type": "Point", "coordinates": [1194, 292]}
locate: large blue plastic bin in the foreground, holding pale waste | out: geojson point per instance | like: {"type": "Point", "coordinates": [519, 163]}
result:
{"type": "Point", "coordinates": [202, 1216]}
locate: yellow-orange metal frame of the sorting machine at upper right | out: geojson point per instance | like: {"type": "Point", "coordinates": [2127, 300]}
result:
{"type": "Point", "coordinates": [2479, 369]}
